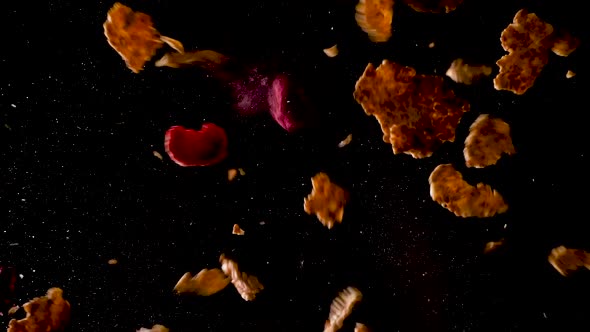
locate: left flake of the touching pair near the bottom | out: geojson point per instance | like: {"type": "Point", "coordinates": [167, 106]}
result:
{"type": "Point", "coordinates": [205, 283]}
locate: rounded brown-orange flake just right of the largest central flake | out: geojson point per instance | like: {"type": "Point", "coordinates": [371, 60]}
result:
{"type": "Point", "coordinates": [488, 138]}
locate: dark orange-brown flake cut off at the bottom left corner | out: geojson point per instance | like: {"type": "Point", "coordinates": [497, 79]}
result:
{"type": "Point", "coordinates": [48, 313]}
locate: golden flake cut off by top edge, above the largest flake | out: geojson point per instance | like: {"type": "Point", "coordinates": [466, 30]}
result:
{"type": "Point", "coordinates": [375, 17]}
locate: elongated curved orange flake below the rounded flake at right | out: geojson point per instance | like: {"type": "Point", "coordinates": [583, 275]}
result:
{"type": "Point", "coordinates": [448, 188]}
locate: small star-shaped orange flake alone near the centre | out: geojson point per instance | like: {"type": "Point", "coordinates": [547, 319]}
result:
{"type": "Point", "coordinates": [327, 200]}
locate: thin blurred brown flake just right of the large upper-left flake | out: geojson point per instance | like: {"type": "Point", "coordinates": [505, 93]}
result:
{"type": "Point", "coordinates": [205, 59]}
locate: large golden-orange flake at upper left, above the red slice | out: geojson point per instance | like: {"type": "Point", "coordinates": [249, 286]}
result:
{"type": "Point", "coordinates": [132, 35]}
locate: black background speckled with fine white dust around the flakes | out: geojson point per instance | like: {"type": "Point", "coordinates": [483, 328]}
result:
{"type": "Point", "coordinates": [80, 184]}
